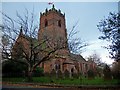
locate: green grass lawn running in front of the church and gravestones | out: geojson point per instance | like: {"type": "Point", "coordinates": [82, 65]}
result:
{"type": "Point", "coordinates": [82, 81]}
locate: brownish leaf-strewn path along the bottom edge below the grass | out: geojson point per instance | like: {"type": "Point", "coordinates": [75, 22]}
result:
{"type": "Point", "coordinates": [15, 86]}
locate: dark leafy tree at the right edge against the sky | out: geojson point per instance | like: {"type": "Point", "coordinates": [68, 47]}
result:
{"type": "Point", "coordinates": [110, 28]}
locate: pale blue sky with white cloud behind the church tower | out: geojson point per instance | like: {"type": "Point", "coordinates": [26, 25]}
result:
{"type": "Point", "coordinates": [87, 14]}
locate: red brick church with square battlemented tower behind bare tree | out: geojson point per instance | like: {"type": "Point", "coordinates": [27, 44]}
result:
{"type": "Point", "coordinates": [53, 27]}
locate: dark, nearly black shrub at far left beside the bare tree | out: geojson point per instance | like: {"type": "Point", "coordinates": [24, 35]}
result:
{"type": "Point", "coordinates": [13, 69]}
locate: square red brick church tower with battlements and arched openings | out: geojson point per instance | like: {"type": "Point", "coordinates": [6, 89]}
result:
{"type": "Point", "coordinates": [52, 25]}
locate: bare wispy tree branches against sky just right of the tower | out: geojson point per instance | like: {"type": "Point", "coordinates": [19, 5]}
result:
{"type": "Point", "coordinates": [75, 43]}
